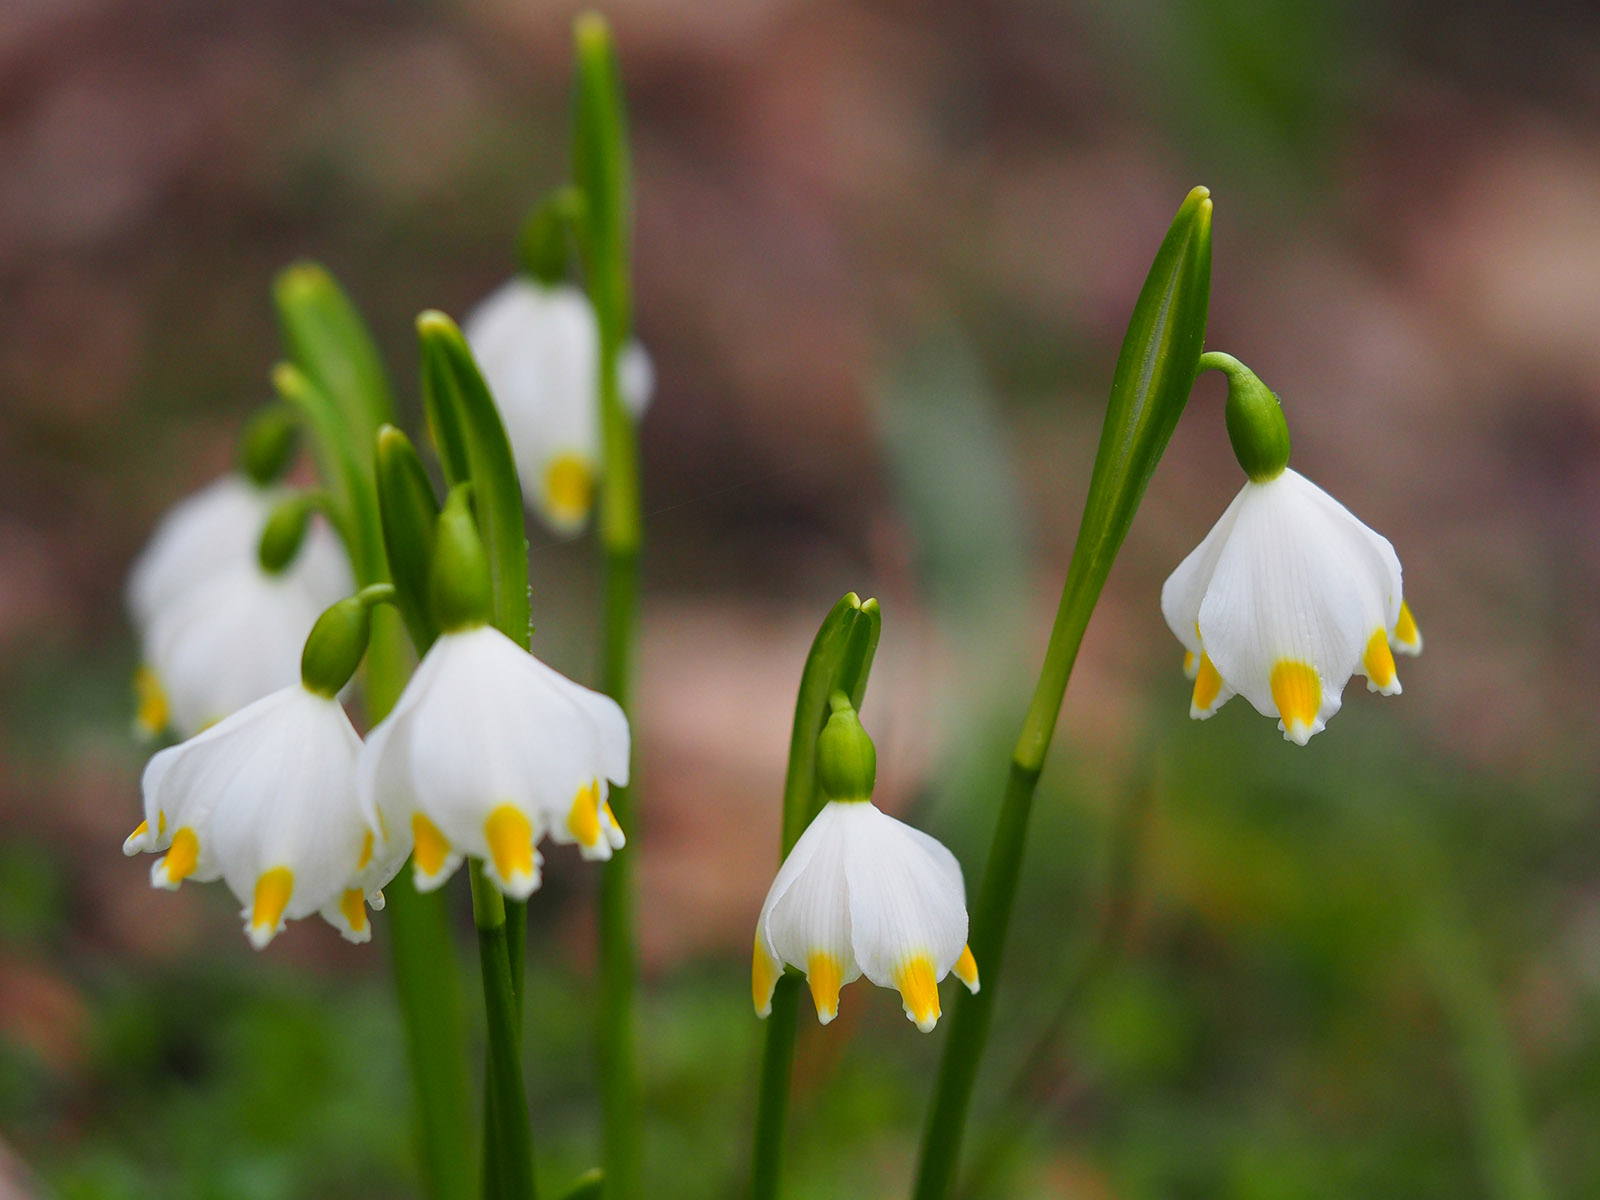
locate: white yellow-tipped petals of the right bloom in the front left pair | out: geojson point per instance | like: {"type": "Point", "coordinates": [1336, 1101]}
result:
{"type": "Point", "coordinates": [487, 751]}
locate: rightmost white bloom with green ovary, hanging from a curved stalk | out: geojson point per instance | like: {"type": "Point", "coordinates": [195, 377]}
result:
{"type": "Point", "coordinates": [1290, 594]}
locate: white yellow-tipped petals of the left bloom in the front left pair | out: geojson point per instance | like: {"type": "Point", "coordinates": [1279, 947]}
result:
{"type": "Point", "coordinates": [266, 802]}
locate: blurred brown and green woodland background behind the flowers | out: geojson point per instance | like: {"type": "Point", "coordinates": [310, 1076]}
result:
{"type": "Point", "coordinates": [886, 254]}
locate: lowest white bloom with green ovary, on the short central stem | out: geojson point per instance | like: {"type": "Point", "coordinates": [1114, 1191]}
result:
{"type": "Point", "coordinates": [863, 894]}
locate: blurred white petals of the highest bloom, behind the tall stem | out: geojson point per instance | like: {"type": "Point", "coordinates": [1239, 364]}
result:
{"type": "Point", "coordinates": [538, 350]}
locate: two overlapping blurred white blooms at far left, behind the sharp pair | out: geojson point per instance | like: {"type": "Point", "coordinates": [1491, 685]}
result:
{"type": "Point", "coordinates": [220, 630]}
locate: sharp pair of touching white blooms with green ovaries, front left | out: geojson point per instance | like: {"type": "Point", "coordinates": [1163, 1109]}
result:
{"type": "Point", "coordinates": [487, 753]}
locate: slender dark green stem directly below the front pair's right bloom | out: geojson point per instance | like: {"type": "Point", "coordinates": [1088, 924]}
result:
{"type": "Point", "coordinates": [508, 1169]}
